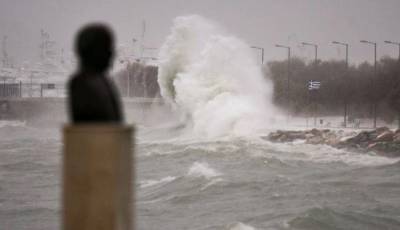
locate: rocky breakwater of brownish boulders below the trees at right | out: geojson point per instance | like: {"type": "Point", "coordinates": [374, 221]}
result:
{"type": "Point", "coordinates": [382, 140]}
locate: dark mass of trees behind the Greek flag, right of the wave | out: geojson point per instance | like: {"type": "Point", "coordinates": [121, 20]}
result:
{"type": "Point", "coordinates": [356, 85]}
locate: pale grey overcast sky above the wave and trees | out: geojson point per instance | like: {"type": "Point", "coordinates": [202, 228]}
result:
{"type": "Point", "coordinates": [261, 23]}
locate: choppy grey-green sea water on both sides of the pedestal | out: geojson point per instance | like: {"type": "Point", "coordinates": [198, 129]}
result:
{"type": "Point", "coordinates": [230, 183]}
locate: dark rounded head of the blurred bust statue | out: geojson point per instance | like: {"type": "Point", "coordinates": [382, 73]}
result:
{"type": "Point", "coordinates": [94, 46]}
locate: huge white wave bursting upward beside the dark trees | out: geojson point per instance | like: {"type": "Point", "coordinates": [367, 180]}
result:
{"type": "Point", "coordinates": [214, 78]}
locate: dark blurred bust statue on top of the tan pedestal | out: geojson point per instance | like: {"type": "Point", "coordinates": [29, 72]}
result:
{"type": "Point", "coordinates": [92, 96]}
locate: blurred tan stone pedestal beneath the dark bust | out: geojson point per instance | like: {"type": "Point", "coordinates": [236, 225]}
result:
{"type": "Point", "coordinates": [97, 177]}
